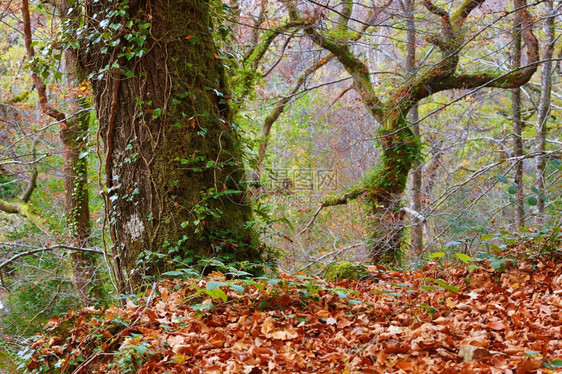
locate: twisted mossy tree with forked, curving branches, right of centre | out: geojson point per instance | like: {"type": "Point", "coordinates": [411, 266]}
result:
{"type": "Point", "coordinates": [401, 148]}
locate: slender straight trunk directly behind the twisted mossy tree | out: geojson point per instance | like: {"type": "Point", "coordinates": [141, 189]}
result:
{"type": "Point", "coordinates": [413, 117]}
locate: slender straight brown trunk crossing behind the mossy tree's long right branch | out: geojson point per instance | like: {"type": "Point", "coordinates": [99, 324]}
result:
{"type": "Point", "coordinates": [517, 124]}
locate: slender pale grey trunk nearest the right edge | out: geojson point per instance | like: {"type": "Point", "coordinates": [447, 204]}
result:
{"type": "Point", "coordinates": [544, 109]}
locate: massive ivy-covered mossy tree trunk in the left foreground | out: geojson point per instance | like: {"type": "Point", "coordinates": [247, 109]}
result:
{"type": "Point", "coordinates": [173, 162]}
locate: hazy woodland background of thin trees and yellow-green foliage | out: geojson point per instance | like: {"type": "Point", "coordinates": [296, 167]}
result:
{"type": "Point", "coordinates": [490, 174]}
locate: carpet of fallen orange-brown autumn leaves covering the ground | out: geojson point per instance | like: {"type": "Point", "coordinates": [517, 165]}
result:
{"type": "Point", "coordinates": [389, 322]}
